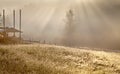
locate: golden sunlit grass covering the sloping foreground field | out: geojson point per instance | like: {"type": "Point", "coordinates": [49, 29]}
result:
{"type": "Point", "coordinates": [49, 59]}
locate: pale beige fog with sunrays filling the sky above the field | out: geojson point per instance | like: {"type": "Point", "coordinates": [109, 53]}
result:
{"type": "Point", "coordinates": [96, 21]}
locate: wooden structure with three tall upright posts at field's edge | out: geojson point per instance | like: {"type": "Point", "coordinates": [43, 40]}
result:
{"type": "Point", "coordinates": [5, 31]}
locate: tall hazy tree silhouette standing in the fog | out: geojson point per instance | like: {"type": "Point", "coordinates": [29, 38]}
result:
{"type": "Point", "coordinates": [70, 28]}
